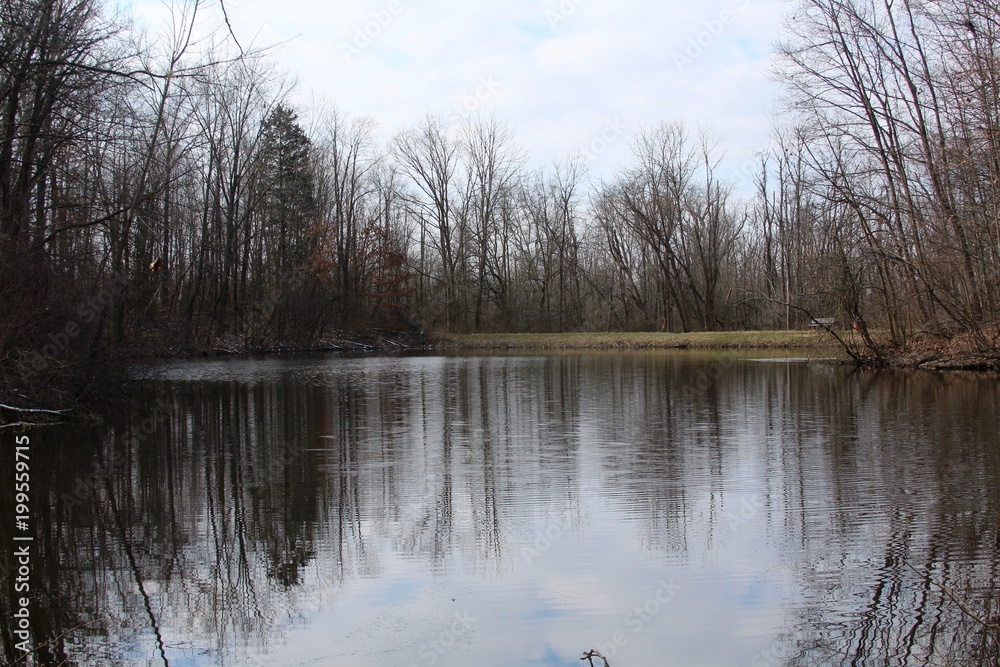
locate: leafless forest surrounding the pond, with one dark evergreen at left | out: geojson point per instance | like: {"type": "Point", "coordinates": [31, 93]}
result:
{"type": "Point", "coordinates": [161, 194]}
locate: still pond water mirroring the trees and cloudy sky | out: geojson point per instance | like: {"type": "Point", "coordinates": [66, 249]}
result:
{"type": "Point", "coordinates": [664, 508]}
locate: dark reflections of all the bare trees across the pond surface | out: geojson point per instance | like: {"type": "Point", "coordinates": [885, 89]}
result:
{"type": "Point", "coordinates": [259, 498]}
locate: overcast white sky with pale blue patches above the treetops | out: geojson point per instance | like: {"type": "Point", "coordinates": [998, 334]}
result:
{"type": "Point", "coordinates": [576, 75]}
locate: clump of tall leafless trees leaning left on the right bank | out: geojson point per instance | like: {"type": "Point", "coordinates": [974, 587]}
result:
{"type": "Point", "coordinates": [879, 85]}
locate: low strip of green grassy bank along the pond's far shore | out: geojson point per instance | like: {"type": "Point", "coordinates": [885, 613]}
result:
{"type": "Point", "coordinates": [640, 341]}
